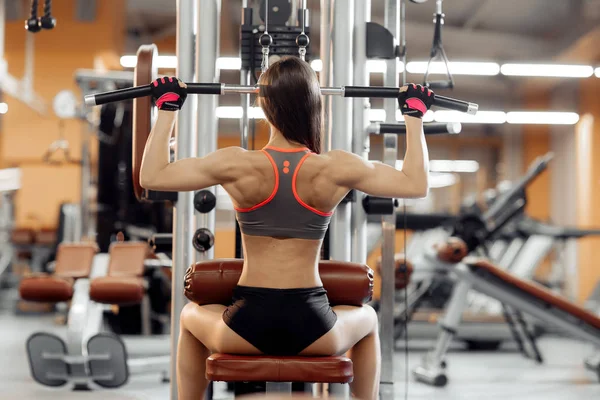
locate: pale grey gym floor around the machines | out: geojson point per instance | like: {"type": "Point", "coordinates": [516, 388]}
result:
{"type": "Point", "coordinates": [498, 375]}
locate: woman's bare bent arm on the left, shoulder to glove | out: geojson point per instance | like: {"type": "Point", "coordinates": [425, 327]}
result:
{"type": "Point", "coordinates": [158, 173]}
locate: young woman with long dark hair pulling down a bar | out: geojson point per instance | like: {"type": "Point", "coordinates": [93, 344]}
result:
{"type": "Point", "coordinates": [284, 196]}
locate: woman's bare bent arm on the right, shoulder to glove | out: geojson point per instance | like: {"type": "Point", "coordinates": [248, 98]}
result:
{"type": "Point", "coordinates": [350, 171]}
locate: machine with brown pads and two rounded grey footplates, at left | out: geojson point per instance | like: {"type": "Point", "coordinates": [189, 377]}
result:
{"type": "Point", "coordinates": [88, 357]}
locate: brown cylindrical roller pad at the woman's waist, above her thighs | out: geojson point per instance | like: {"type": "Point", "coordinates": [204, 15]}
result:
{"type": "Point", "coordinates": [213, 281]}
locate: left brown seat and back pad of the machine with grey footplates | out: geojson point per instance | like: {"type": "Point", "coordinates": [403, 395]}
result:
{"type": "Point", "coordinates": [73, 261]}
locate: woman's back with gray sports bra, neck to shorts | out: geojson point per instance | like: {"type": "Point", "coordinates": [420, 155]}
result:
{"type": "Point", "coordinates": [283, 205]}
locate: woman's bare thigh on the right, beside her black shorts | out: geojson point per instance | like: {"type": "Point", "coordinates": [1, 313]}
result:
{"type": "Point", "coordinates": [352, 325]}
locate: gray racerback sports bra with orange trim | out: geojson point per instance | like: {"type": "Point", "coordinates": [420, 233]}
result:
{"type": "Point", "coordinates": [283, 213]}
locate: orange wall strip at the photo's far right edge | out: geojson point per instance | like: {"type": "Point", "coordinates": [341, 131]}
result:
{"type": "Point", "coordinates": [588, 185]}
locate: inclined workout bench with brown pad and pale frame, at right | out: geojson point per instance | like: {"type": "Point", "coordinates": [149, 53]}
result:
{"type": "Point", "coordinates": [517, 295]}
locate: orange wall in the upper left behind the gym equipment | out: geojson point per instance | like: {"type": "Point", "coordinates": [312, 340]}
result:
{"type": "Point", "coordinates": [26, 134]}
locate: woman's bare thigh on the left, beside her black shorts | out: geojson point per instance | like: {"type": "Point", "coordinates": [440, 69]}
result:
{"type": "Point", "coordinates": [207, 325]}
